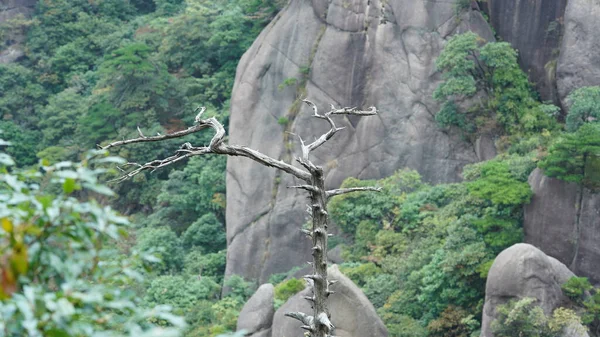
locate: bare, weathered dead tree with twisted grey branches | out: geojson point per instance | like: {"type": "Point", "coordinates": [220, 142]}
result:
{"type": "Point", "coordinates": [319, 324]}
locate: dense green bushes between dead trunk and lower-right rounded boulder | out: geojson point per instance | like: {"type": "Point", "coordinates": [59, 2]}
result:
{"type": "Point", "coordinates": [421, 253]}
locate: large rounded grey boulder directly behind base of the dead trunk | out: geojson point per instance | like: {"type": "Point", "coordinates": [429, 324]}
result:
{"type": "Point", "coordinates": [351, 312]}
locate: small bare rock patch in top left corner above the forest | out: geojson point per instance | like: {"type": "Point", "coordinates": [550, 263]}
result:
{"type": "Point", "coordinates": [9, 49]}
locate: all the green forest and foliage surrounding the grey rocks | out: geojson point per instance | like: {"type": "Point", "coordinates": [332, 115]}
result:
{"type": "Point", "coordinates": [82, 256]}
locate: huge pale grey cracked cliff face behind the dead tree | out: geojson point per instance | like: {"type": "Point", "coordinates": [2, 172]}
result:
{"type": "Point", "coordinates": [338, 52]}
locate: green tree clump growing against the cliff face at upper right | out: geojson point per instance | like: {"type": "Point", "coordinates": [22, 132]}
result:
{"type": "Point", "coordinates": [484, 89]}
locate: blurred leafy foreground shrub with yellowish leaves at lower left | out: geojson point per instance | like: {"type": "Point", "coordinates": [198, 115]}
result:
{"type": "Point", "coordinates": [61, 275]}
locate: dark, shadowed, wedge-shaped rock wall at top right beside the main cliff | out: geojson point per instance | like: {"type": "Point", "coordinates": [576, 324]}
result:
{"type": "Point", "coordinates": [533, 27]}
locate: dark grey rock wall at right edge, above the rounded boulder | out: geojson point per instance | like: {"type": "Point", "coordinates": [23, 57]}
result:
{"type": "Point", "coordinates": [563, 220]}
